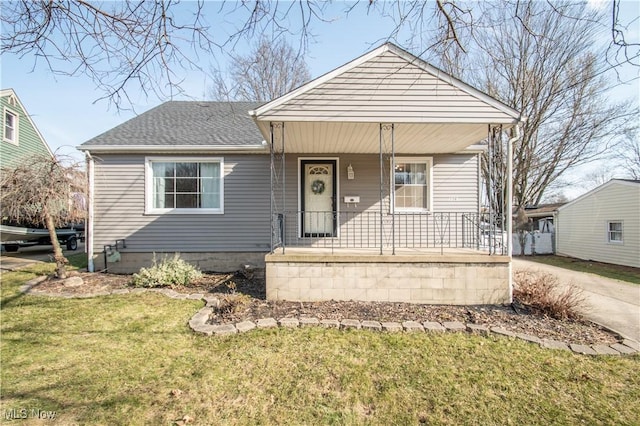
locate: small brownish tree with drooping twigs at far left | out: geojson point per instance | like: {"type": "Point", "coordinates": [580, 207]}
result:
{"type": "Point", "coordinates": [40, 190]}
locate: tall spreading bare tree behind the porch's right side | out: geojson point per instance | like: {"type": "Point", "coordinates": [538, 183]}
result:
{"type": "Point", "coordinates": [545, 63]}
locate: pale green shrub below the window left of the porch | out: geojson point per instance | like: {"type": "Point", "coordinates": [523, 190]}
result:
{"type": "Point", "coordinates": [168, 272]}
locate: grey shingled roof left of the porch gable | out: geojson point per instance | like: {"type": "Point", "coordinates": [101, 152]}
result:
{"type": "Point", "coordinates": [185, 123]}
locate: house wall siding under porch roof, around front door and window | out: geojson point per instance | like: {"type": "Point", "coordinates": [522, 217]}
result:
{"type": "Point", "coordinates": [455, 190]}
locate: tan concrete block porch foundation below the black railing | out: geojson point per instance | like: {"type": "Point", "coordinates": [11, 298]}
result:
{"type": "Point", "coordinates": [452, 279]}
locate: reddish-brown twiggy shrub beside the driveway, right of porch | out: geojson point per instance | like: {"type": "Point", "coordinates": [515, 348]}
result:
{"type": "Point", "coordinates": [543, 293]}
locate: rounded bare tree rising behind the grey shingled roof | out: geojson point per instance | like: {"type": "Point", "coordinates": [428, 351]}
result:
{"type": "Point", "coordinates": [270, 70]}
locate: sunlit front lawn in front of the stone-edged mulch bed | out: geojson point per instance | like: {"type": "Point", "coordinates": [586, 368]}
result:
{"type": "Point", "coordinates": [132, 359]}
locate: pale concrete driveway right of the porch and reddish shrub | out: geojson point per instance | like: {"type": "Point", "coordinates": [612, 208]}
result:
{"type": "Point", "coordinates": [612, 303]}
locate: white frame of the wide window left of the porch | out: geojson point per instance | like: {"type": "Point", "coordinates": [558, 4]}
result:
{"type": "Point", "coordinates": [149, 209]}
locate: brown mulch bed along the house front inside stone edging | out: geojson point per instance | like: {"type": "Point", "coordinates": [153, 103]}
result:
{"type": "Point", "coordinates": [244, 299]}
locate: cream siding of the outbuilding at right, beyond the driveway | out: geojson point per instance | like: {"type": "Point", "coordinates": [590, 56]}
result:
{"type": "Point", "coordinates": [582, 225]}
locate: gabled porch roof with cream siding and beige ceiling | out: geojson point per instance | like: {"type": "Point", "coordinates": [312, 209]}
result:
{"type": "Point", "coordinates": [341, 111]}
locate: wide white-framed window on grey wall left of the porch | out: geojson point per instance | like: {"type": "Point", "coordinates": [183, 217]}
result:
{"type": "Point", "coordinates": [184, 185]}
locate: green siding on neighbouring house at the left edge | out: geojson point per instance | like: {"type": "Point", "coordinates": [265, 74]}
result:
{"type": "Point", "coordinates": [29, 141]}
